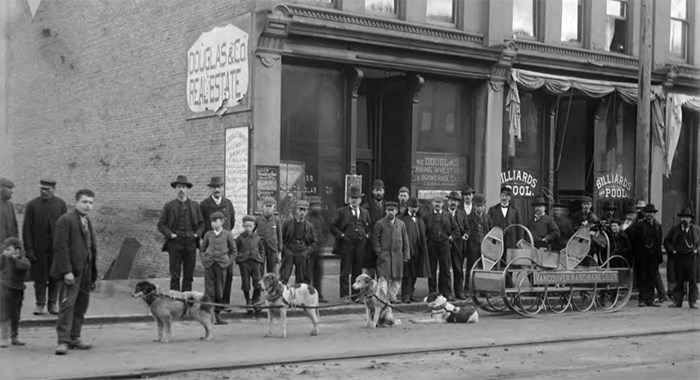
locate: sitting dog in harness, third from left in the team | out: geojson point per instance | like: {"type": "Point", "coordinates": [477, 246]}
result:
{"type": "Point", "coordinates": [374, 296]}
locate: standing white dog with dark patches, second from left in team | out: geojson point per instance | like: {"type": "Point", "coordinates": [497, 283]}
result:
{"type": "Point", "coordinates": [281, 297]}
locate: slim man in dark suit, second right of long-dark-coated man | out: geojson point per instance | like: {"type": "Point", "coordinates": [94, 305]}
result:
{"type": "Point", "coordinates": [459, 219]}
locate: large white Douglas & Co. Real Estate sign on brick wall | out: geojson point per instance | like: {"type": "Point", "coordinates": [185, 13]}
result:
{"type": "Point", "coordinates": [217, 69]}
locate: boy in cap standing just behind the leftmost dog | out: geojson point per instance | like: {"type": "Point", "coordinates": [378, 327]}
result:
{"type": "Point", "coordinates": [217, 253]}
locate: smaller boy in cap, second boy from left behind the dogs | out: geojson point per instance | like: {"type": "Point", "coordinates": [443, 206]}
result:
{"type": "Point", "coordinates": [250, 260]}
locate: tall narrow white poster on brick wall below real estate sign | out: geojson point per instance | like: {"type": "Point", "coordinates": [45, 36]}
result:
{"type": "Point", "coordinates": [236, 172]}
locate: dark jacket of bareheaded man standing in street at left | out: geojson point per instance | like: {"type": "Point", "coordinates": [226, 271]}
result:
{"type": "Point", "coordinates": [70, 249]}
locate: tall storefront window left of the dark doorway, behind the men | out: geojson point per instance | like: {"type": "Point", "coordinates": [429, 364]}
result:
{"type": "Point", "coordinates": [312, 160]}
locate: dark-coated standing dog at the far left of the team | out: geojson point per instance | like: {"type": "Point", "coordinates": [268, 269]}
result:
{"type": "Point", "coordinates": [164, 307]}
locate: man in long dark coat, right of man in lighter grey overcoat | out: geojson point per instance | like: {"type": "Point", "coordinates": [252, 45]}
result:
{"type": "Point", "coordinates": [418, 264]}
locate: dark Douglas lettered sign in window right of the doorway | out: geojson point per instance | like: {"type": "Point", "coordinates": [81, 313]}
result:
{"type": "Point", "coordinates": [439, 171]}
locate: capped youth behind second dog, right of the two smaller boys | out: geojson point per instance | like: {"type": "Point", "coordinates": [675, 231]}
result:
{"type": "Point", "coordinates": [269, 228]}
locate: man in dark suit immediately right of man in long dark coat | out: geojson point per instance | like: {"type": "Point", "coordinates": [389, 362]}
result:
{"type": "Point", "coordinates": [441, 232]}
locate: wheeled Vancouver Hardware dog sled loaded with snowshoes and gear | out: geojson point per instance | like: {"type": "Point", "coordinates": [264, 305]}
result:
{"type": "Point", "coordinates": [536, 282]}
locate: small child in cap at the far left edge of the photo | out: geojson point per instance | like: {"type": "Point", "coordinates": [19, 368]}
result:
{"type": "Point", "coordinates": [13, 267]}
